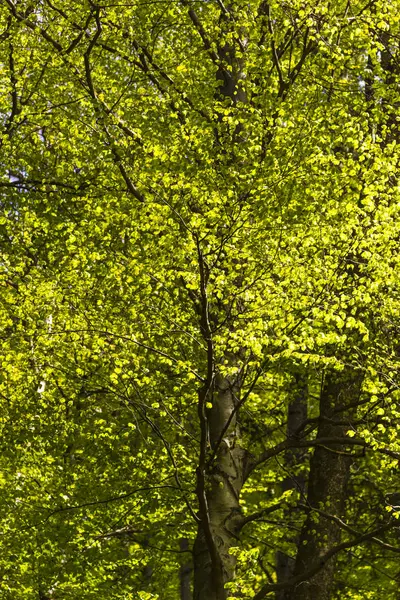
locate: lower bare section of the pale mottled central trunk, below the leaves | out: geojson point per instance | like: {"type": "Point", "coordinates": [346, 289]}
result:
{"type": "Point", "coordinates": [224, 476]}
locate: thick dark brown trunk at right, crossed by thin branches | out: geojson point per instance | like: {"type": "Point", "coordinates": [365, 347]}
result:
{"type": "Point", "coordinates": [329, 470]}
